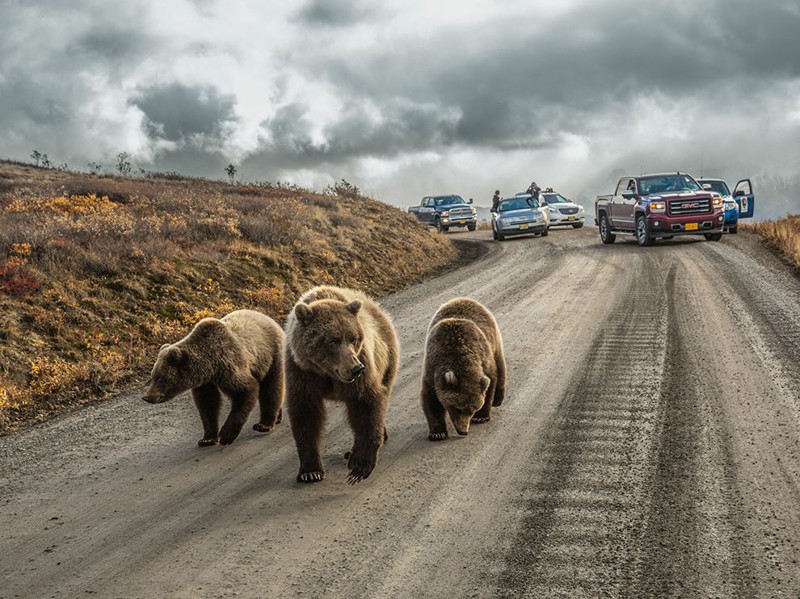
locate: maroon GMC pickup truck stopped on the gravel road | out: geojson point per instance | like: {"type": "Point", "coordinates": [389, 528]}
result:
{"type": "Point", "coordinates": [659, 206]}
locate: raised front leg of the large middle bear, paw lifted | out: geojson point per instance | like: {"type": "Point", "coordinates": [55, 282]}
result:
{"type": "Point", "coordinates": [367, 419]}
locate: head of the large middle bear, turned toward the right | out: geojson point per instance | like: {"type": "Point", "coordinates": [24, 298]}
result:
{"type": "Point", "coordinates": [330, 338]}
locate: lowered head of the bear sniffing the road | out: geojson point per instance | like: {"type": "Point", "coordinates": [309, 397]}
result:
{"type": "Point", "coordinates": [461, 393]}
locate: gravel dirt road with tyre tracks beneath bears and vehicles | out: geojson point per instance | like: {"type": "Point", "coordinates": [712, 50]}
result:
{"type": "Point", "coordinates": [649, 445]}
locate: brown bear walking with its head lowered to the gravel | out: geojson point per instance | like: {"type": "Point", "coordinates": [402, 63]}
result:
{"type": "Point", "coordinates": [464, 370]}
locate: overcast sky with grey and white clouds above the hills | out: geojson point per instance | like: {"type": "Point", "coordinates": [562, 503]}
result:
{"type": "Point", "coordinates": [410, 97]}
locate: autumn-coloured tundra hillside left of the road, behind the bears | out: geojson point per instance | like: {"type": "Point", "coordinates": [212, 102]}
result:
{"type": "Point", "coordinates": [96, 272]}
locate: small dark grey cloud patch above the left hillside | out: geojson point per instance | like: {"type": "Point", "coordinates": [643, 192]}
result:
{"type": "Point", "coordinates": [176, 112]}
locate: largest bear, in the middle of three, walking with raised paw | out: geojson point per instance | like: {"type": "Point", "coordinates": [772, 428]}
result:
{"type": "Point", "coordinates": [340, 345]}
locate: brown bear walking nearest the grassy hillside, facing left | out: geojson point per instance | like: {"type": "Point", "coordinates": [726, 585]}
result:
{"type": "Point", "coordinates": [239, 355]}
